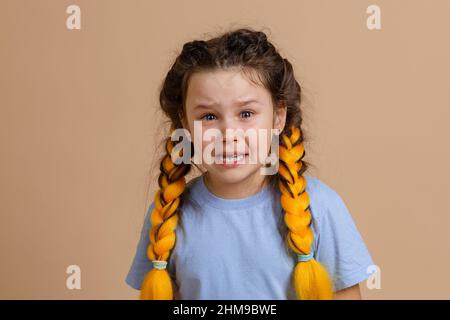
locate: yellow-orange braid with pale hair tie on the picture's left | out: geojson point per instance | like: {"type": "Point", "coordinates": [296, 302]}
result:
{"type": "Point", "coordinates": [157, 284]}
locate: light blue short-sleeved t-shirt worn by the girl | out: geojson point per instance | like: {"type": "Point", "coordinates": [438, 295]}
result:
{"type": "Point", "coordinates": [234, 248]}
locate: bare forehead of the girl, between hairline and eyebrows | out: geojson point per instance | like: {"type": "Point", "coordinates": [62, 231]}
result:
{"type": "Point", "coordinates": [223, 87]}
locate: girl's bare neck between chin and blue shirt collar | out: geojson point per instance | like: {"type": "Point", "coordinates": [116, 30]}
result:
{"type": "Point", "coordinates": [242, 189]}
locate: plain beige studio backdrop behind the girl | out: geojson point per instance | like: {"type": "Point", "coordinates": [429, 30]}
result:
{"type": "Point", "coordinates": [80, 124]}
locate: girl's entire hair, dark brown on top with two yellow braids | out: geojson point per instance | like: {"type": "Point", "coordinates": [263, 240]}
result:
{"type": "Point", "coordinates": [251, 51]}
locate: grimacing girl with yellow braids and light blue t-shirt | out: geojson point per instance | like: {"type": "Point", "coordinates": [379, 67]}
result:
{"type": "Point", "coordinates": [232, 232]}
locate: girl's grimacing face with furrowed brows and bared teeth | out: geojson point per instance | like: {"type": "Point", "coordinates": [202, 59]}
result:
{"type": "Point", "coordinates": [226, 99]}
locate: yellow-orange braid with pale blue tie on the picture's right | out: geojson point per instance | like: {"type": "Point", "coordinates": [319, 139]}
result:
{"type": "Point", "coordinates": [311, 279]}
